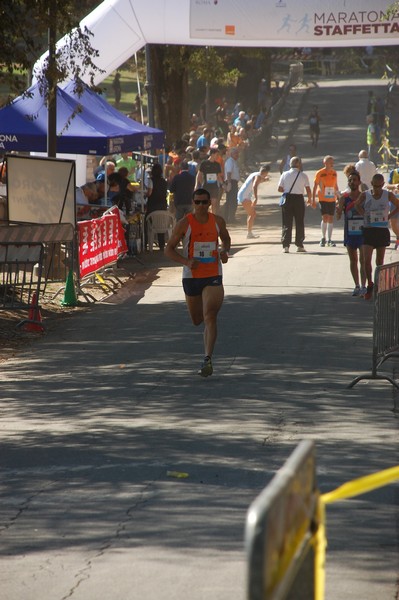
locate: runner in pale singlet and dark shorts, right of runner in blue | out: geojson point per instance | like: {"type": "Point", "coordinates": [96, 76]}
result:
{"type": "Point", "coordinates": [374, 205]}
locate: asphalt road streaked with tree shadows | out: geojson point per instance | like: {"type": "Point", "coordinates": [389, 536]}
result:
{"type": "Point", "coordinates": [97, 414]}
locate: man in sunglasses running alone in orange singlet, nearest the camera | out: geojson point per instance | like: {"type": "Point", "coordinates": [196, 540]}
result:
{"type": "Point", "coordinates": [202, 261]}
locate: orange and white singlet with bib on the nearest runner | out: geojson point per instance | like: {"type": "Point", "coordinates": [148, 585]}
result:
{"type": "Point", "coordinates": [201, 241]}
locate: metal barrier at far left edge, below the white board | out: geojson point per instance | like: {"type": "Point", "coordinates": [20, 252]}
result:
{"type": "Point", "coordinates": [21, 268]}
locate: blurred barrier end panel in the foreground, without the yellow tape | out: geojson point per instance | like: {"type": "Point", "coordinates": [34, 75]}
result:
{"type": "Point", "coordinates": [279, 532]}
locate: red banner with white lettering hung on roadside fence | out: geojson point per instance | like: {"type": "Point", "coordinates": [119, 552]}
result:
{"type": "Point", "coordinates": [100, 243]}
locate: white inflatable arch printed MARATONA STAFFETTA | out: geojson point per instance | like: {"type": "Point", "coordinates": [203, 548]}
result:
{"type": "Point", "coordinates": [121, 27]}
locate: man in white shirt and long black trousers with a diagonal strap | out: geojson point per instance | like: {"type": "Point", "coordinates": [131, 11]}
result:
{"type": "Point", "coordinates": [292, 183]}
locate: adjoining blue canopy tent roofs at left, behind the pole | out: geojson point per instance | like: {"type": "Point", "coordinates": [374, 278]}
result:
{"type": "Point", "coordinates": [86, 124]}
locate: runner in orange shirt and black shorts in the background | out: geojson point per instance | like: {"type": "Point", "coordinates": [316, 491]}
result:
{"type": "Point", "coordinates": [326, 187]}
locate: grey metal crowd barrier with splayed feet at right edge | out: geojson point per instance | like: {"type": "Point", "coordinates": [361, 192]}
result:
{"type": "Point", "coordinates": [385, 321]}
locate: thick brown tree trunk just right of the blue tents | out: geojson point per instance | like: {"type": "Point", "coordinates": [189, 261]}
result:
{"type": "Point", "coordinates": [170, 77]}
